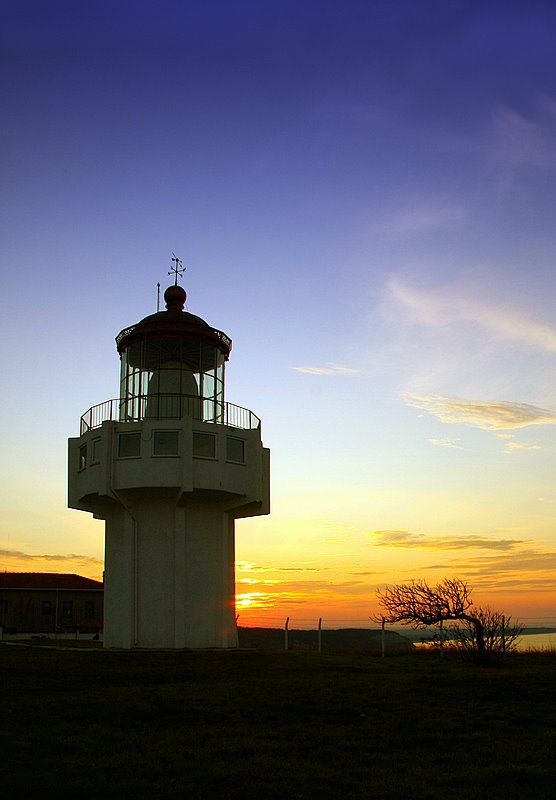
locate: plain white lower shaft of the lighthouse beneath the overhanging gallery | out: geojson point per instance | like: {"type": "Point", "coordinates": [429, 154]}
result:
{"type": "Point", "coordinates": [169, 576]}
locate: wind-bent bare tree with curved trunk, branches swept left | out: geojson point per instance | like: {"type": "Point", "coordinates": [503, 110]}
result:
{"type": "Point", "coordinates": [421, 605]}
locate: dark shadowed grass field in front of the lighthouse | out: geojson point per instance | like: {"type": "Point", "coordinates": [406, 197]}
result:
{"type": "Point", "coordinates": [245, 724]}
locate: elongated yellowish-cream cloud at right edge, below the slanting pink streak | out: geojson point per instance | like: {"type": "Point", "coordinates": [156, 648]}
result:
{"type": "Point", "coordinates": [481, 414]}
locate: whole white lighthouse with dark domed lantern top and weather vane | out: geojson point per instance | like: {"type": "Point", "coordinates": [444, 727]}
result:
{"type": "Point", "coordinates": [170, 466]}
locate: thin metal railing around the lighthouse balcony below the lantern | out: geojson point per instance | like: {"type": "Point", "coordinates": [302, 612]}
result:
{"type": "Point", "coordinates": [168, 406]}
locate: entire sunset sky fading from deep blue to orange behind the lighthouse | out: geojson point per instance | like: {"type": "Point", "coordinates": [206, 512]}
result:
{"type": "Point", "coordinates": [364, 196]}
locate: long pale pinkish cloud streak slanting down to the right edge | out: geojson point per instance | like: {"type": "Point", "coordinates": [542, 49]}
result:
{"type": "Point", "coordinates": [443, 308]}
